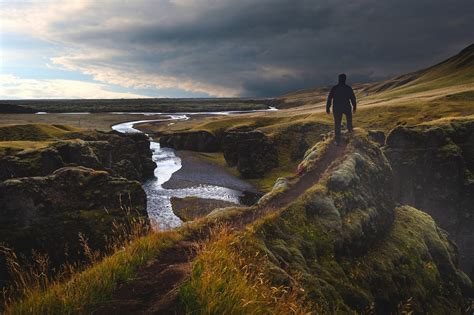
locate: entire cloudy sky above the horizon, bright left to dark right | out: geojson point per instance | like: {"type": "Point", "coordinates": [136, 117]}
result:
{"type": "Point", "coordinates": [218, 48]}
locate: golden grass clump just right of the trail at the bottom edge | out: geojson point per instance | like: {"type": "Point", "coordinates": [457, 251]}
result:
{"type": "Point", "coordinates": [228, 278]}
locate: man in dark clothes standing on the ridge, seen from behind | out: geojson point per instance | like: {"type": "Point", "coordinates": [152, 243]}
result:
{"type": "Point", "coordinates": [341, 96]}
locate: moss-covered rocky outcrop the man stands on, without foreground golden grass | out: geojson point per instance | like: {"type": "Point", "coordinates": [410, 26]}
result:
{"type": "Point", "coordinates": [351, 248]}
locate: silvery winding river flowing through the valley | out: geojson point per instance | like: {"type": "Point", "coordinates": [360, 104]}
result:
{"type": "Point", "coordinates": [159, 198]}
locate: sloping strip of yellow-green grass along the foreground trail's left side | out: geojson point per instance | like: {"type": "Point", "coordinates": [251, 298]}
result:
{"type": "Point", "coordinates": [79, 292]}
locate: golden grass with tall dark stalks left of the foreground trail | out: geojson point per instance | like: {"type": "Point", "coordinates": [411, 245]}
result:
{"type": "Point", "coordinates": [76, 289]}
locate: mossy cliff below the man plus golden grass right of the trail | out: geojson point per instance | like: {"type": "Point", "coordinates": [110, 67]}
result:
{"type": "Point", "coordinates": [343, 245]}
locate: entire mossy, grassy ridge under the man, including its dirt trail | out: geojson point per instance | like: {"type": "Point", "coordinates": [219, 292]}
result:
{"type": "Point", "coordinates": [327, 240]}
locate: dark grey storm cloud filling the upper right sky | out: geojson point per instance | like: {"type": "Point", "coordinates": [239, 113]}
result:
{"type": "Point", "coordinates": [266, 48]}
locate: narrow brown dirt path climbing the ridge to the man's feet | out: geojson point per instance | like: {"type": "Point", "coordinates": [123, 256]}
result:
{"type": "Point", "coordinates": [173, 267]}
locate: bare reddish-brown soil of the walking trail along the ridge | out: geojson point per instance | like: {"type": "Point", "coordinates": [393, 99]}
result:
{"type": "Point", "coordinates": [156, 287]}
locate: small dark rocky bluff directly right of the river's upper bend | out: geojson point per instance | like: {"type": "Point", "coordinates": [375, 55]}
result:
{"type": "Point", "coordinates": [200, 141]}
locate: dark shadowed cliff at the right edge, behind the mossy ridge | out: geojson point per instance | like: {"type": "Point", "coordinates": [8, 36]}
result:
{"type": "Point", "coordinates": [434, 171]}
